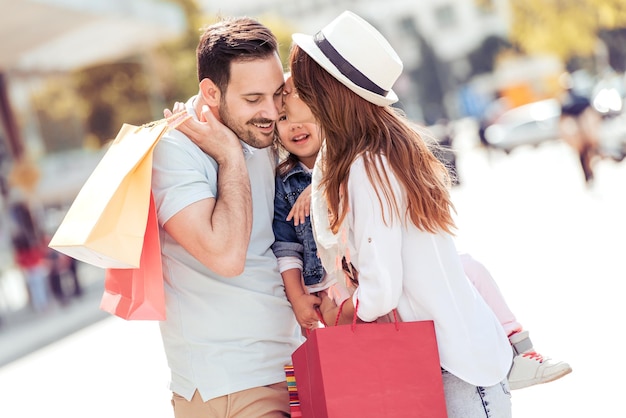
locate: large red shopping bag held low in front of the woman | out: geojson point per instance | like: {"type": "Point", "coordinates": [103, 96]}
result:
{"type": "Point", "coordinates": [370, 370]}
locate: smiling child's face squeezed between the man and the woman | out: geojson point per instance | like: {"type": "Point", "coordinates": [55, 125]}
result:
{"type": "Point", "coordinates": [300, 139]}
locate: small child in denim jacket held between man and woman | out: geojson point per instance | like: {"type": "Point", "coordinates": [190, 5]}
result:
{"type": "Point", "coordinates": [304, 275]}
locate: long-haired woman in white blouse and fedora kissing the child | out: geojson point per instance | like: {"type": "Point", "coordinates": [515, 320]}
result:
{"type": "Point", "coordinates": [380, 195]}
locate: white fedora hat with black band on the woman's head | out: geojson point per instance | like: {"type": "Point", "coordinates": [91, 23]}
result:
{"type": "Point", "coordinates": [357, 55]}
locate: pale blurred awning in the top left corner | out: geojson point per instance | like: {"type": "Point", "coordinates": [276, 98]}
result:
{"type": "Point", "coordinates": [40, 36]}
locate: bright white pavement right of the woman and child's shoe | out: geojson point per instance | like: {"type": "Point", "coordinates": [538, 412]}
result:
{"type": "Point", "coordinates": [557, 251]}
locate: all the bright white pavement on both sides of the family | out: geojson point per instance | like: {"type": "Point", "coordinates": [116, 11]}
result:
{"type": "Point", "coordinates": [556, 249]}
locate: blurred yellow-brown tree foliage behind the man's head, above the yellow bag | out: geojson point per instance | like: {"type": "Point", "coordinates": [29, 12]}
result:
{"type": "Point", "coordinates": [89, 106]}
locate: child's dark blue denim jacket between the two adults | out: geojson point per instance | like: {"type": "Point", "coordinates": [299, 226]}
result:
{"type": "Point", "coordinates": [290, 240]}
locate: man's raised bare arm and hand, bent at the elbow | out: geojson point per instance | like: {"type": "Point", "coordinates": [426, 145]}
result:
{"type": "Point", "coordinates": [216, 231]}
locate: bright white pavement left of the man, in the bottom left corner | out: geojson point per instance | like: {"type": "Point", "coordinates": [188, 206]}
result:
{"type": "Point", "coordinates": [110, 369]}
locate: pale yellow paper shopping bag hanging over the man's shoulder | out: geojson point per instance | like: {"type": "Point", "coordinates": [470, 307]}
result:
{"type": "Point", "coordinates": [105, 224]}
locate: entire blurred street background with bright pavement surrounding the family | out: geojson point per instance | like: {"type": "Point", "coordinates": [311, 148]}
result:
{"type": "Point", "coordinates": [493, 81]}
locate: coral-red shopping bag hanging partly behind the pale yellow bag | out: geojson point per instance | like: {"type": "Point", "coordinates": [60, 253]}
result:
{"type": "Point", "coordinates": [138, 293]}
